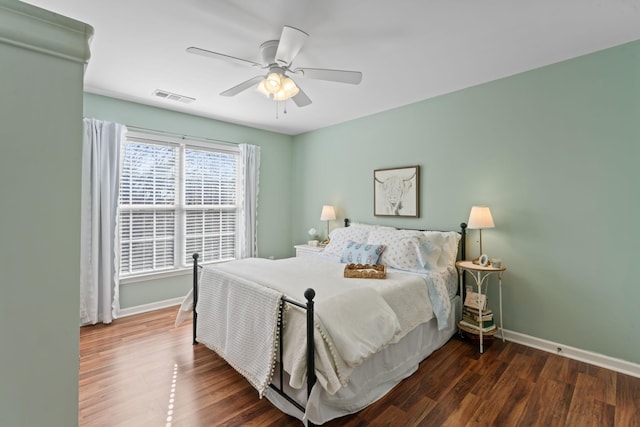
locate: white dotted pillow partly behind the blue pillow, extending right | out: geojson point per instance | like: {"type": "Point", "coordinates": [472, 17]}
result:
{"type": "Point", "coordinates": [405, 249]}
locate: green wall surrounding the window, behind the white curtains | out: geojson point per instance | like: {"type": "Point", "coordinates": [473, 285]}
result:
{"type": "Point", "coordinates": [274, 204]}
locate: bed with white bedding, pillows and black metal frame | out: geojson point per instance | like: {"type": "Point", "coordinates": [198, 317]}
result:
{"type": "Point", "coordinates": [283, 323]}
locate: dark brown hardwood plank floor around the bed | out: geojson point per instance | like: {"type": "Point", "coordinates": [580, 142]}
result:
{"type": "Point", "coordinates": [142, 371]}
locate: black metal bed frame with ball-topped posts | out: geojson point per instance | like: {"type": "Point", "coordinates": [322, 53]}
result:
{"type": "Point", "coordinates": [309, 294]}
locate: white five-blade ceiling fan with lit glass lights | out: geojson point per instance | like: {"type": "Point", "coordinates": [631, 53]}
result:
{"type": "Point", "coordinates": [277, 57]}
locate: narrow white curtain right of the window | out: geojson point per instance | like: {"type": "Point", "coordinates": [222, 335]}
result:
{"type": "Point", "coordinates": [248, 224]}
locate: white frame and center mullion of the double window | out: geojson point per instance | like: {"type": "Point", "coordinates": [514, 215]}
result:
{"type": "Point", "coordinates": [180, 231]}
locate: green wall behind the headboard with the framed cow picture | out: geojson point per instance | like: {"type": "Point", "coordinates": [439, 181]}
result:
{"type": "Point", "coordinates": [554, 152]}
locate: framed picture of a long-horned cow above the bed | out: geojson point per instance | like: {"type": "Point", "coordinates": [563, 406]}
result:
{"type": "Point", "coordinates": [396, 191]}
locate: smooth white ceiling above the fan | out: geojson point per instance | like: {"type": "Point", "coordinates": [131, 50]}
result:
{"type": "Point", "coordinates": [407, 50]}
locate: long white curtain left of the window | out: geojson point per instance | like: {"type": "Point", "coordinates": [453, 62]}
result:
{"type": "Point", "coordinates": [99, 284]}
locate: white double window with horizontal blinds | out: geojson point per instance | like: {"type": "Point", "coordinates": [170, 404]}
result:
{"type": "Point", "coordinates": [176, 198]}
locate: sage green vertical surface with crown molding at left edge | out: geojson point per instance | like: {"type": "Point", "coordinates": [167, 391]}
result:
{"type": "Point", "coordinates": [42, 58]}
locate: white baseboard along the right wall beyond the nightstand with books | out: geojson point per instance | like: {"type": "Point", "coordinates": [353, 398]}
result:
{"type": "Point", "coordinates": [618, 365]}
